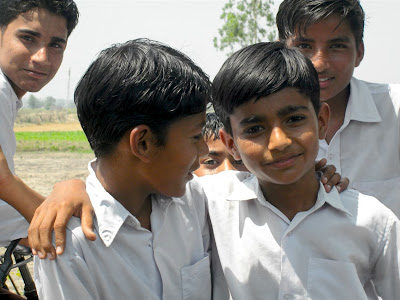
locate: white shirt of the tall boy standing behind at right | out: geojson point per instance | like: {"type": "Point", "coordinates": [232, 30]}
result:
{"type": "Point", "coordinates": [366, 148]}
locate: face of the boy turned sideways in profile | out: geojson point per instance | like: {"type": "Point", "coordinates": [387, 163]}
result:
{"type": "Point", "coordinates": [179, 158]}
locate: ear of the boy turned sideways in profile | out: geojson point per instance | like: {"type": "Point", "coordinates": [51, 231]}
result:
{"type": "Point", "coordinates": [141, 142]}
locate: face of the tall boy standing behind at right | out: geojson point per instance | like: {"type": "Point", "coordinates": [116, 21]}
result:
{"type": "Point", "coordinates": [331, 46]}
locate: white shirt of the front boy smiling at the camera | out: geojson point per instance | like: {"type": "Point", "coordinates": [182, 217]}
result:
{"type": "Point", "coordinates": [345, 247]}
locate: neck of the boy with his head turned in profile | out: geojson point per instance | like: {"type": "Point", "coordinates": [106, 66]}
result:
{"type": "Point", "coordinates": [116, 176]}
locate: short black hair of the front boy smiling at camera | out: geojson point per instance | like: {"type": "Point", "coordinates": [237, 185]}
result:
{"type": "Point", "coordinates": [260, 70]}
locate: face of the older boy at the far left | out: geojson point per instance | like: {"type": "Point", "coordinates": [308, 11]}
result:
{"type": "Point", "coordinates": [31, 49]}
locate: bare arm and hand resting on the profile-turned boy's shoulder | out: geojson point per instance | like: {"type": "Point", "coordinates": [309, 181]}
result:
{"type": "Point", "coordinates": [33, 207]}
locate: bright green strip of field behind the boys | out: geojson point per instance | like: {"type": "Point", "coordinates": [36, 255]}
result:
{"type": "Point", "coordinates": [63, 141]}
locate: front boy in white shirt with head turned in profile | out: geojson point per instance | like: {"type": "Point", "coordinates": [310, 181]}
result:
{"type": "Point", "coordinates": [142, 107]}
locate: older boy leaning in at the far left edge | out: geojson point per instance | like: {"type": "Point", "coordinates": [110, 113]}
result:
{"type": "Point", "coordinates": [33, 37]}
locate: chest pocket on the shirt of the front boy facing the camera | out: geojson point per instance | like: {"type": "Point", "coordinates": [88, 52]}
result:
{"type": "Point", "coordinates": [330, 279]}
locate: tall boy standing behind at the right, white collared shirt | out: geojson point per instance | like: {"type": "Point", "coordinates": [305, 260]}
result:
{"type": "Point", "coordinates": [363, 138]}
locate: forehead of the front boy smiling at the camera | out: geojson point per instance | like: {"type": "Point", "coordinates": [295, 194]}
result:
{"type": "Point", "coordinates": [276, 105]}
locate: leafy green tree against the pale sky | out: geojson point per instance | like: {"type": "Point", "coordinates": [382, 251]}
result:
{"type": "Point", "coordinates": [246, 22]}
